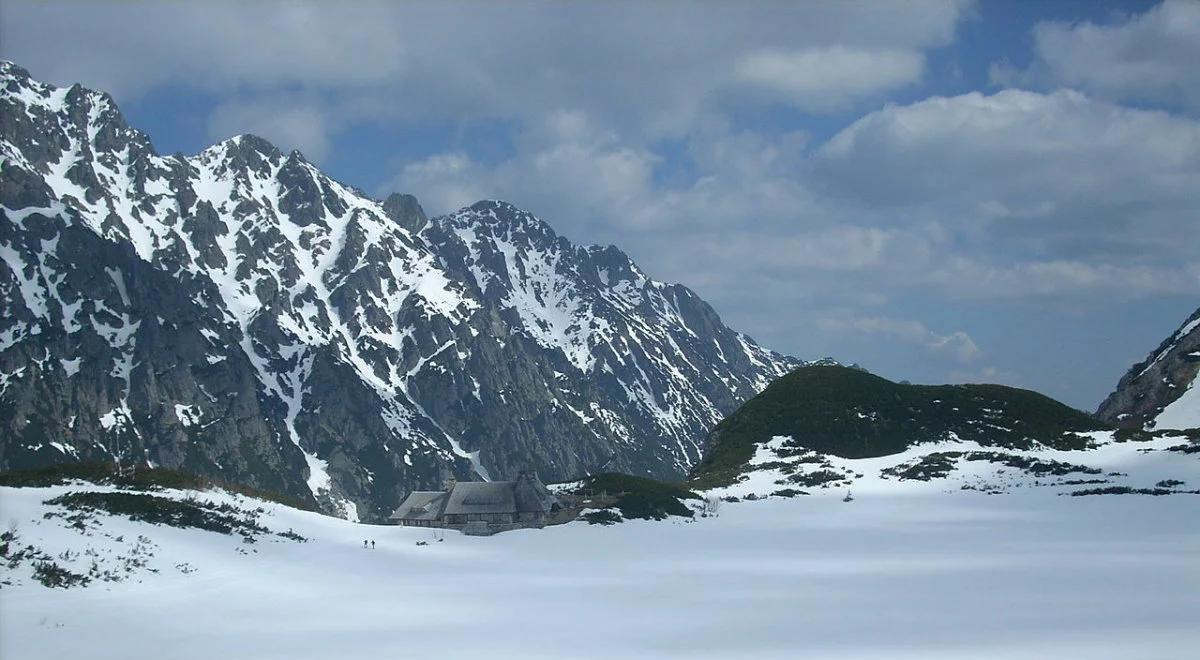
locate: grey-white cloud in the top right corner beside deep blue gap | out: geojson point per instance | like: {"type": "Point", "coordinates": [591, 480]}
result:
{"type": "Point", "coordinates": [1149, 57]}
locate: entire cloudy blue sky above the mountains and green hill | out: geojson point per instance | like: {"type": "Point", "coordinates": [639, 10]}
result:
{"type": "Point", "coordinates": [941, 191]}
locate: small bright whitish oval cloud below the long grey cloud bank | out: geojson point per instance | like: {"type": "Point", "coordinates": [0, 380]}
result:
{"type": "Point", "coordinates": [826, 80]}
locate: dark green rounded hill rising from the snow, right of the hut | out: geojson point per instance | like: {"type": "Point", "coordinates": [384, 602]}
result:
{"type": "Point", "coordinates": [855, 415]}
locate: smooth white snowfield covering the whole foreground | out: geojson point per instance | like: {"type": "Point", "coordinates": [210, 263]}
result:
{"type": "Point", "coordinates": [920, 575]}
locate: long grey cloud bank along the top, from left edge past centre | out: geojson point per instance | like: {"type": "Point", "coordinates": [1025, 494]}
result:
{"type": "Point", "coordinates": [464, 61]}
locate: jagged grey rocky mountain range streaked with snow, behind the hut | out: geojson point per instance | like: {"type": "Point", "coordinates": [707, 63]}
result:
{"type": "Point", "coordinates": [238, 314]}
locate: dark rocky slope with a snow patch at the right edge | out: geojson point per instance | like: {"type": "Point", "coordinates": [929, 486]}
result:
{"type": "Point", "coordinates": [1161, 392]}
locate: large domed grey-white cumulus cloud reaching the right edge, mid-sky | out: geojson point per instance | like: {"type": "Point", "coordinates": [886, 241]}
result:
{"type": "Point", "coordinates": [1035, 178]}
